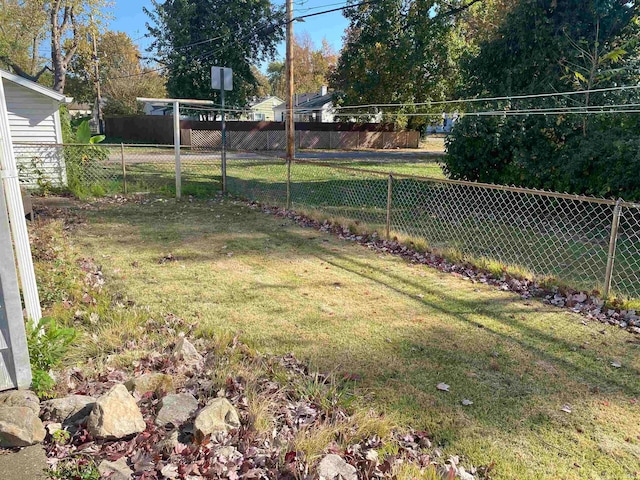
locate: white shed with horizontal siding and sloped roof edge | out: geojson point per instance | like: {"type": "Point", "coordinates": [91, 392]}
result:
{"type": "Point", "coordinates": [34, 118]}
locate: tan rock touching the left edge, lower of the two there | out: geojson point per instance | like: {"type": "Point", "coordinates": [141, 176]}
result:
{"type": "Point", "coordinates": [20, 427]}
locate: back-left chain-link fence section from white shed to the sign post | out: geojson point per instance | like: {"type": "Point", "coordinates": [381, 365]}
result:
{"type": "Point", "coordinates": [95, 170]}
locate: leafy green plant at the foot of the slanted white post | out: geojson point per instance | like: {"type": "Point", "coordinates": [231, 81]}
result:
{"type": "Point", "coordinates": [48, 343]}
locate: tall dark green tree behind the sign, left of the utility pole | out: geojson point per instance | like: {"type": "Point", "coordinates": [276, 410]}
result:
{"type": "Point", "coordinates": [193, 35]}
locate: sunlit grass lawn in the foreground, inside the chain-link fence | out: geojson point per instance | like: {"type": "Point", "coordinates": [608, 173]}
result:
{"type": "Point", "coordinates": [401, 329]}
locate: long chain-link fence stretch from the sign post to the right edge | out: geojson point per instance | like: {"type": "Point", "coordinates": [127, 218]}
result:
{"type": "Point", "coordinates": [566, 237]}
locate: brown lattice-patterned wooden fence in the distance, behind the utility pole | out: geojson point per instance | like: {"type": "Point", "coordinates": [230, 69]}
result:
{"type": "Point", "coordinates": [305, 139]}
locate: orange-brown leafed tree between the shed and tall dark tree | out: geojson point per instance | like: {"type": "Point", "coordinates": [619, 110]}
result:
{"type": "Point", "coordinates": [122, 76]}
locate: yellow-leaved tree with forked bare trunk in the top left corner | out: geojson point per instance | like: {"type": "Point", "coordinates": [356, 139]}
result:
{"type": "Point", "coordinates": [64, 22]}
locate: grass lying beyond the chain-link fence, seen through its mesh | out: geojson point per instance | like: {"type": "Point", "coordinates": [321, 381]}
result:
{"type": "Point", "coordinates": [564, 240]}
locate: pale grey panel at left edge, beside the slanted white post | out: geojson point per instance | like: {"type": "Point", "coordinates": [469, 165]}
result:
{"type": "Point", "coordinates": [15, 371]}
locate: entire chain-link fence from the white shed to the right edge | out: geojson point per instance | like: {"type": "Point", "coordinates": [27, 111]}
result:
{"type": "Point", "coordinates": [584, 242]}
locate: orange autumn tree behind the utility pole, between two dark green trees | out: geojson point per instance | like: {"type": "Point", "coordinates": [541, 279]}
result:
{"type": "Point", "coordinates": [312, 67]}
